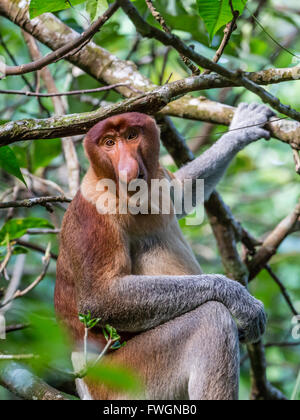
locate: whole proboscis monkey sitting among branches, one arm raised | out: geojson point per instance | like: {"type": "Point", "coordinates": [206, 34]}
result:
{"type": "Point", "coordinates": [139, 275]}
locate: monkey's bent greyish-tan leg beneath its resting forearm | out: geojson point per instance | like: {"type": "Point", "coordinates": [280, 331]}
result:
{"type": "Point", "coordinates": [195, 356]}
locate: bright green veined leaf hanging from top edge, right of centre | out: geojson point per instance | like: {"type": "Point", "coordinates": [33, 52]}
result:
{"type": "Point", "coordinates": [217, 13]}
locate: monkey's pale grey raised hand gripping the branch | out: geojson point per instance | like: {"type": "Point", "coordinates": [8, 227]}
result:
{"type": "Point", "coordinates": [248, 123]}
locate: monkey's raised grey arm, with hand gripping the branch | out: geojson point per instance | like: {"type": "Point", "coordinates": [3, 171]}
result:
{"type": "Point", "coordinates": [246, 127]}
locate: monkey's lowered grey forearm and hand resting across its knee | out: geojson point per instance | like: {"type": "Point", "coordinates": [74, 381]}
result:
{"type": "Point", "coordinates": [139, 303]}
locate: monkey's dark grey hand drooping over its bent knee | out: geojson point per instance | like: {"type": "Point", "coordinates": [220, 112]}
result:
{"type": "Point", "coordinates": [248, 311]}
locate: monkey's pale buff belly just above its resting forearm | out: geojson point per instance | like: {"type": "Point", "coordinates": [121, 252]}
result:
{"type": "Point", "coordinates": [163, 253]}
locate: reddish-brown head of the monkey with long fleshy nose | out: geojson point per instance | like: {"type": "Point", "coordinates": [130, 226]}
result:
{"type": "Point", "coordinates": [123, 147]}
